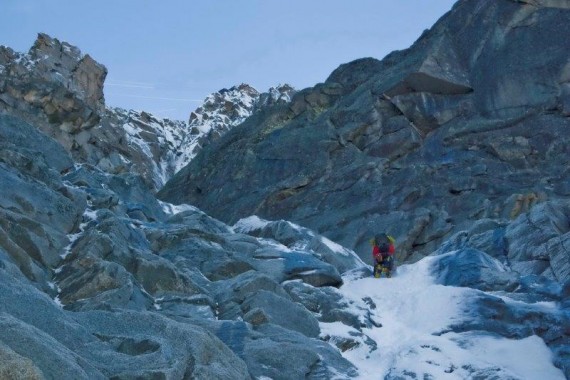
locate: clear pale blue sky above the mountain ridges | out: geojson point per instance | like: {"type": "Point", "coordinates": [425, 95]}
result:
{"type": "Point", "coordinates": [165, 56]}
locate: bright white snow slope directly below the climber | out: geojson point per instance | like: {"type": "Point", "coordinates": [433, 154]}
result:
{"type": "Point", "coordinates": [415, 314]}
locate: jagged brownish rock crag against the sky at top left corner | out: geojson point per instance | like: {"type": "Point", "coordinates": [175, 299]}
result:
{"type": "Point", "coordinates": [53, 81]}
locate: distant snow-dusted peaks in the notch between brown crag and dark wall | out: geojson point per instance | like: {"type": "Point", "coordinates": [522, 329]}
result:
{"type": "Point", "coordinates": [171, 144]}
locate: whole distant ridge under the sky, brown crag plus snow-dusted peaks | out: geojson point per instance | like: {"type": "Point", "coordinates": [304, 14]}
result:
{"type": "Point", "coordinates": [57, 88]}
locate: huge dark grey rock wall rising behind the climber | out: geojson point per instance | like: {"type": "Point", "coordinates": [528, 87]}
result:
{"type": "Point", "coordinates": [468, 124]}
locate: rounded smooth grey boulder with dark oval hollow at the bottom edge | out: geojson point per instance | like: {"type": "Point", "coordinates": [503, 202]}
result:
{"type": "Point", "coordinates": [150, 342]}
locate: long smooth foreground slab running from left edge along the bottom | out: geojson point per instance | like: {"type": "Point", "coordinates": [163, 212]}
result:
{"type": "Point", "coordinates": [104, 344]}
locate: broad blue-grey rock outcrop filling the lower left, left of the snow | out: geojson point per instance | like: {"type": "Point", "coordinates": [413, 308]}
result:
{"type": "Point", "coordinates": [99, 279]}
